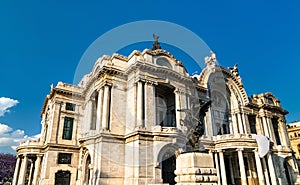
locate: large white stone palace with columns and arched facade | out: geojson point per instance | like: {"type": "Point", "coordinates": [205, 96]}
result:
{"type": "Point", "coordinates": [130, 117]}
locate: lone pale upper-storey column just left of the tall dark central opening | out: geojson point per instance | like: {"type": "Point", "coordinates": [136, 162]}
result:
{"type": "Point", "coordinates": [139, 105]}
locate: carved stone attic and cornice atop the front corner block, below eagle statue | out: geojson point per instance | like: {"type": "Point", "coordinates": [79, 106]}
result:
{"type": "Point", "coordinates": [121, 66]}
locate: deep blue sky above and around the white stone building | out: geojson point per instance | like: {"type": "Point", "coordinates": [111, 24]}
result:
{"type": "Point", "coordinates": [41, 43]}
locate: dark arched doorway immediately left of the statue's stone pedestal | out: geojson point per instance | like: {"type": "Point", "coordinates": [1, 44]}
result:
{"type": "Point", "coordinates": [168, 168]}
